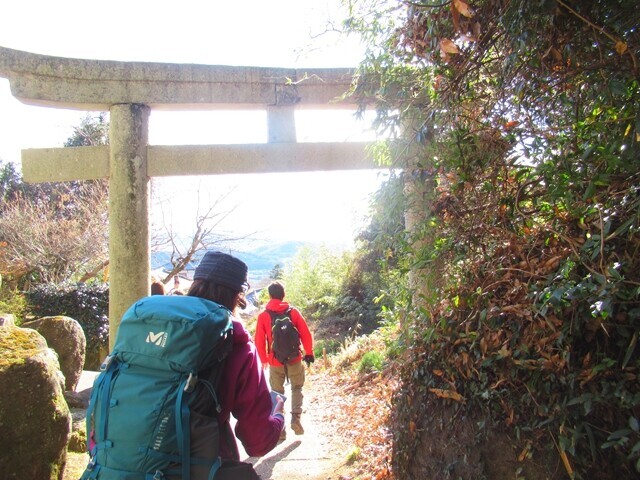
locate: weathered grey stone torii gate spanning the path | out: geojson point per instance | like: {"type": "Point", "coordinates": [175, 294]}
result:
{"type": "Point", "coordinates": [129, 90]}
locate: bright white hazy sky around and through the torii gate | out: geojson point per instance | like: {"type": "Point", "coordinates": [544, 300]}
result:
{"type": "Point", "coordinates": [279, 33]}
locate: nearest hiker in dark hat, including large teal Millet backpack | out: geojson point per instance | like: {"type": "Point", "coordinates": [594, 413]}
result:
{"type": "Point", "coordinates": [180, 367]}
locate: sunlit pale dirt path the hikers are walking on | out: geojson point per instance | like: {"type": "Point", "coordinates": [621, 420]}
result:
{"type": "Point", "coordinates": [320, 454]}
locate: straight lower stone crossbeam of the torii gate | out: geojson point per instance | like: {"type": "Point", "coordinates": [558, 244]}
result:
{"type": "Point", "coordinates": [88, 163]}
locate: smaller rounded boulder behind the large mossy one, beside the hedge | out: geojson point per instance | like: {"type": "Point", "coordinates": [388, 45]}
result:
{"type": "Point", "coordinates": [66, 337]}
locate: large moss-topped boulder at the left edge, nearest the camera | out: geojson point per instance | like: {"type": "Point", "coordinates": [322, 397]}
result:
{"type": "Point", "coordinates": [35, 422]}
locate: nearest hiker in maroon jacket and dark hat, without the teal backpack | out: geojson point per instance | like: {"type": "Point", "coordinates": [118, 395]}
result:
{"type": "Point", "coordinates": [243, 390]}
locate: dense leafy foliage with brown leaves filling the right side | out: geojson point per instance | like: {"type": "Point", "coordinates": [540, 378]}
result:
{"type": "Point", "coordinates": [521, 155]}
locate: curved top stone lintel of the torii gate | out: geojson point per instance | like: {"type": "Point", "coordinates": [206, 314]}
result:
{"type": "Point", "coordinates": [98, 84]}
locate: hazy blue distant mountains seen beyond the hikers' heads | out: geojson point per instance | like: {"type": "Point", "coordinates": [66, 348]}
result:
{"type": "Point", "coordinates": [260, 259]}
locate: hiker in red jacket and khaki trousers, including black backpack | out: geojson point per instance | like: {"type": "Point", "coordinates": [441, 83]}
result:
{"type": "Point", "coordinates": [284, 341]}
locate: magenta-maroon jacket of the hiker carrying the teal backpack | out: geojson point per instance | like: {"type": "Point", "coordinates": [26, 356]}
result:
{"type": "Point", "coordinates": [243, 392]}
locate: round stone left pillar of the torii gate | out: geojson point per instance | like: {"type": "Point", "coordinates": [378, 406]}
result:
{"type": "Point", "coordinates": [129, 245]}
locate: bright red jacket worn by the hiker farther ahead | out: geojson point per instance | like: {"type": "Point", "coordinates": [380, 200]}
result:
{"type": "Point", "coordinates": [263, 338]}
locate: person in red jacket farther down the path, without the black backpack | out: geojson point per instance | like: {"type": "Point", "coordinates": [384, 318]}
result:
{"type": "Point", "coordinates": [294, 369]}
